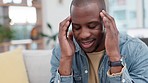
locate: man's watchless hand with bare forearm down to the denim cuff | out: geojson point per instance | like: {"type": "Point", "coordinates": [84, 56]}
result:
{"type": "Point", "coordinates": [67, 47]}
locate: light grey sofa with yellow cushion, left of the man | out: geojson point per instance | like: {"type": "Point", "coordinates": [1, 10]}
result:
{"type": "Point", "coordinates": [25, 66]}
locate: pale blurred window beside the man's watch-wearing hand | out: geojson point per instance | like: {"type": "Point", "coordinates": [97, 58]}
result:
{"type": "Point", "coordinates": [124, 13]}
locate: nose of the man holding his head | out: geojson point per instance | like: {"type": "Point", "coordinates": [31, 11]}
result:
{"type": "Point", "coordinates": [85, 33]}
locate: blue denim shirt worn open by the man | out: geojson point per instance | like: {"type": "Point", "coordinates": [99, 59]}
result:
{"type": "Point", "coordinates": [135, 61]}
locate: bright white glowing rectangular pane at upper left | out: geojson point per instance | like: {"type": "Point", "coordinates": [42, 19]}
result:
{"type": "Point", "coordinates": [22, 14]}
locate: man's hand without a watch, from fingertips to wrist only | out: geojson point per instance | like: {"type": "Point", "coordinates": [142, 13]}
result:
{"type": "Point", "coordinates": [66, 42]}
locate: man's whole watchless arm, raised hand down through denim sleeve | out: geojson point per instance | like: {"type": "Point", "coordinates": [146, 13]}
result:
{"type": "Point", "coordinates": [67, 49]}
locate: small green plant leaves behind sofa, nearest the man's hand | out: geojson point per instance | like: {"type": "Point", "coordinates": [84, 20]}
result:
{"type": "Point", "coordinates": [49, 37]}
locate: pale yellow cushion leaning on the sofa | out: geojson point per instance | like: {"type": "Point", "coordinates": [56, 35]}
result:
{"type": "Point", "coordinates": [12, 68]}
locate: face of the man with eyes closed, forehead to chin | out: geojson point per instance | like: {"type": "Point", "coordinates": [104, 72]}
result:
{"type": "Point", "coordinates": [87, 27]}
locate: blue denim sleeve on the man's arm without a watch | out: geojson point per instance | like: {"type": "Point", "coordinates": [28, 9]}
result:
{"type": "Point", "coordinates": [55, 61]}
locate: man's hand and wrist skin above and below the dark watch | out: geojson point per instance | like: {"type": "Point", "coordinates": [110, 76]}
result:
{"type": "Point", "coordinates": [111, 40]}
